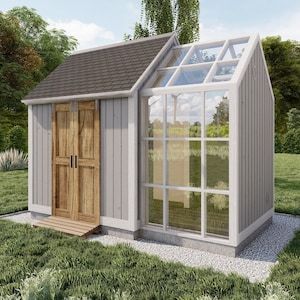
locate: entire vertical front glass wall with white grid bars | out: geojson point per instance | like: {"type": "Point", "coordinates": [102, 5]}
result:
{"type": "Point", "coordinates": [180, 130]}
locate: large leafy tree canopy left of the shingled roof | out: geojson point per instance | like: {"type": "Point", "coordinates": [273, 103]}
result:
{"type": "Point", "coordinates": [29, 51]}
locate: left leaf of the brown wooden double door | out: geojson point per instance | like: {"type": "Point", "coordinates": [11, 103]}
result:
{"type": "Point", "coordinates": [62, 155]}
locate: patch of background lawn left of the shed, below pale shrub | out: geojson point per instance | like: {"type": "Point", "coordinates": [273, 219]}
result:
{"type": "Point", "coordinates": [13, 191]}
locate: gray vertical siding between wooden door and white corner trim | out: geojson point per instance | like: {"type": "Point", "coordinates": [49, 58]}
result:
{"type": "Point", "coordinates": [114, 158]}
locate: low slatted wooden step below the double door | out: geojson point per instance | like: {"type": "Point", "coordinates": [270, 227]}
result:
{"type": "Point", "coordinates": [68, 226]}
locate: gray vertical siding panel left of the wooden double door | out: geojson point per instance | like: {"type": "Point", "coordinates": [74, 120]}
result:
{"type": "Point", "coordinates": [41, 154]}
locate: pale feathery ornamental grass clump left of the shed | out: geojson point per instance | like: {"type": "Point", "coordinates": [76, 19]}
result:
{"type": "Point", "coordinates": [13, 160]}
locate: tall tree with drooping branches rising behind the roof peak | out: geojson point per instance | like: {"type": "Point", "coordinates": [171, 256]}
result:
{"type": "Point", "coordinates": [162, 16]}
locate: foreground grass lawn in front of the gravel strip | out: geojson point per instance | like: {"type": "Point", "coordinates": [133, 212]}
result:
{"type": "Point", "coordinates": [92, 270]}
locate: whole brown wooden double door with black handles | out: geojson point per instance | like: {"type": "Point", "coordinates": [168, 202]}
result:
{"type": "Point", "coordinates": [75, 161]}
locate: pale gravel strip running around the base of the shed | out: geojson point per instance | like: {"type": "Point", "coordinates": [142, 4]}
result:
{"type": "Point", "coordinates": [254, 262]}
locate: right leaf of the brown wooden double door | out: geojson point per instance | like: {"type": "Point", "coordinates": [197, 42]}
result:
{"type": "Point", "coordinates": [87, 169]}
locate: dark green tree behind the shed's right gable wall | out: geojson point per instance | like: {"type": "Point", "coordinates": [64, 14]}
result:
{"type": "Point", "coordinates": [283, 60]}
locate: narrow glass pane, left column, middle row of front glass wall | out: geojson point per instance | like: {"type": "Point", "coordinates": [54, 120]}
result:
{"type": "Point", "coordinates": [155, 162]}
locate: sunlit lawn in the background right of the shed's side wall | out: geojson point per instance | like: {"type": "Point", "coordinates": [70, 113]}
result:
{"type": "Point", "coordinates": [287, 183]}
